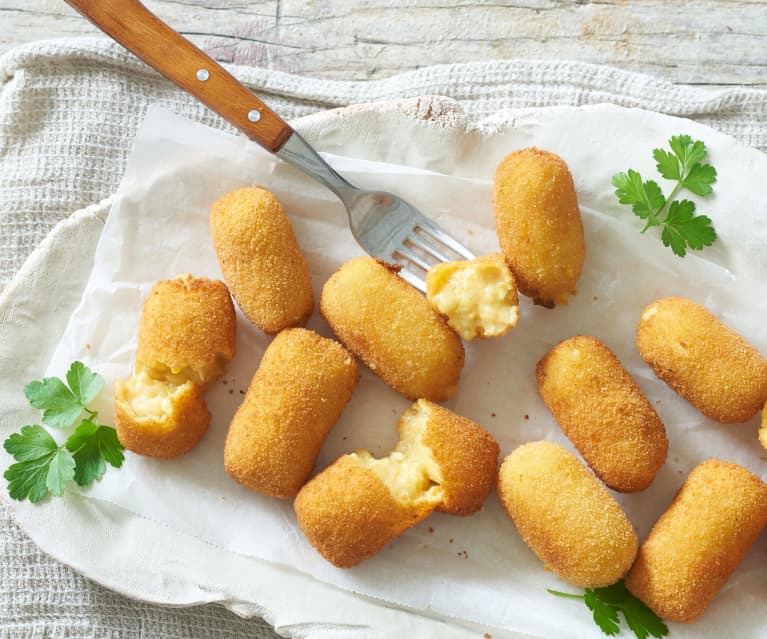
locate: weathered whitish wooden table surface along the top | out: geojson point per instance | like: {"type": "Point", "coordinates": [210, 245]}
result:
{"type": "Point", "coordinates": [702, 43]}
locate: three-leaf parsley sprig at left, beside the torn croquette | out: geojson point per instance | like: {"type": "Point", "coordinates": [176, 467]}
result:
{"type": "Point", "coordinates": [44, 467]}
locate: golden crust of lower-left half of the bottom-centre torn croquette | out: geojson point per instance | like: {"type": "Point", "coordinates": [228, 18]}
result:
{"type": "Point", "coordinates": [348, 514]}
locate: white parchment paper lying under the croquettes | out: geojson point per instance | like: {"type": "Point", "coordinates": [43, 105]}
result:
{"type": "Point", "coordinates": [476, 568]}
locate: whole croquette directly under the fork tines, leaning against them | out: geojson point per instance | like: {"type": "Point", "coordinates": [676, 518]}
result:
{"type": "Point", "coordinates": [393, 329]}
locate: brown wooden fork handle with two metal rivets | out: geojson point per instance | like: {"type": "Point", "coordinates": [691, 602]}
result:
{"type": "Point", "coordinates": [141, 32]}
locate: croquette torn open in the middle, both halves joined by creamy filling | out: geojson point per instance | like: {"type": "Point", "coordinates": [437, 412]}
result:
{"type": "Point", "coordinates": [359, 503]}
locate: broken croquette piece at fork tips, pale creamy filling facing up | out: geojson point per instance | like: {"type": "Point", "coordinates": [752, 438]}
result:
{"type": "Point", "coordinates": [477, 297]}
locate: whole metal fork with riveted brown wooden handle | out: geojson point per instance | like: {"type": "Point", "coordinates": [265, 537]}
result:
{"type": "Point", "coordinates": [384, 225]}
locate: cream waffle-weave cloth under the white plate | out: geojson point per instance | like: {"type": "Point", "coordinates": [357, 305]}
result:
{"type": "Point", "coordinates": [68, 114]}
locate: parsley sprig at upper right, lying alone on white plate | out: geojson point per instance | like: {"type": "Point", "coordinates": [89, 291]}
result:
{"type": "Point", "coordinates": [681, 228]}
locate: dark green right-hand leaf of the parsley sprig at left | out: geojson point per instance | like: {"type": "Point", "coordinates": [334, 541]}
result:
{"type": "Point", "coordinates": [91, 446]}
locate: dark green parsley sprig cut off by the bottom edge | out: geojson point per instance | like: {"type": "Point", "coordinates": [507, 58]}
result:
{"type": "Point", "coordinates": [605, 604]}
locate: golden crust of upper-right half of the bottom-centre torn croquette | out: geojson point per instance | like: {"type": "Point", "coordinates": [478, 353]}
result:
{"type": "Point", "coordinates": [466, 454]}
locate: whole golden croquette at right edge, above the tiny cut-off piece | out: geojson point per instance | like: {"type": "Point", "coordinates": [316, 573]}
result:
{"type": "Point", "coordinates": [706, 362]}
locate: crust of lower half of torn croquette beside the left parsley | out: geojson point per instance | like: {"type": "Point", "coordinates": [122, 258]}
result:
{"type": "Point", "coordinates": [164, 436]}
